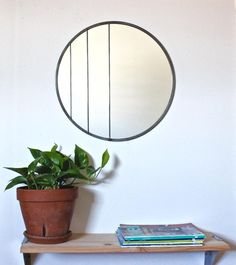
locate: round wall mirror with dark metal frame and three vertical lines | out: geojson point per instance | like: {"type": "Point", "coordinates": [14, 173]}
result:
{"type": "Point", "coordinates": [115, 81]}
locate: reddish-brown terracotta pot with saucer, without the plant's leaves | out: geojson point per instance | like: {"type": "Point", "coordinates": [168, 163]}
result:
{"type": "Point", "coordinates": [47, 213]}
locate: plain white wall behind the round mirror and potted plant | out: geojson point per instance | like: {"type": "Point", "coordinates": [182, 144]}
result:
{"type": "Point", "coordinates": [182, 171]}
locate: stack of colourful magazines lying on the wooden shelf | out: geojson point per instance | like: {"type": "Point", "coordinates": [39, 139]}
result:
{"type": "Point", "coordinates": [159, 235]}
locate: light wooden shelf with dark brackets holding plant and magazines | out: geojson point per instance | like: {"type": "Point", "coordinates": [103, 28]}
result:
{"type": "Point", "coordinates": [107, 243]}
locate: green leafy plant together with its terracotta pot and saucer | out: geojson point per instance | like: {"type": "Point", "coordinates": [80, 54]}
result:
{"type": "Point", "coordinates": [50, 187]}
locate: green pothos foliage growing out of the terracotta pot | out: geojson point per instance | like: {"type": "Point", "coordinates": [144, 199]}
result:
{"type": "Point", "coordinates": [55, 170]}
